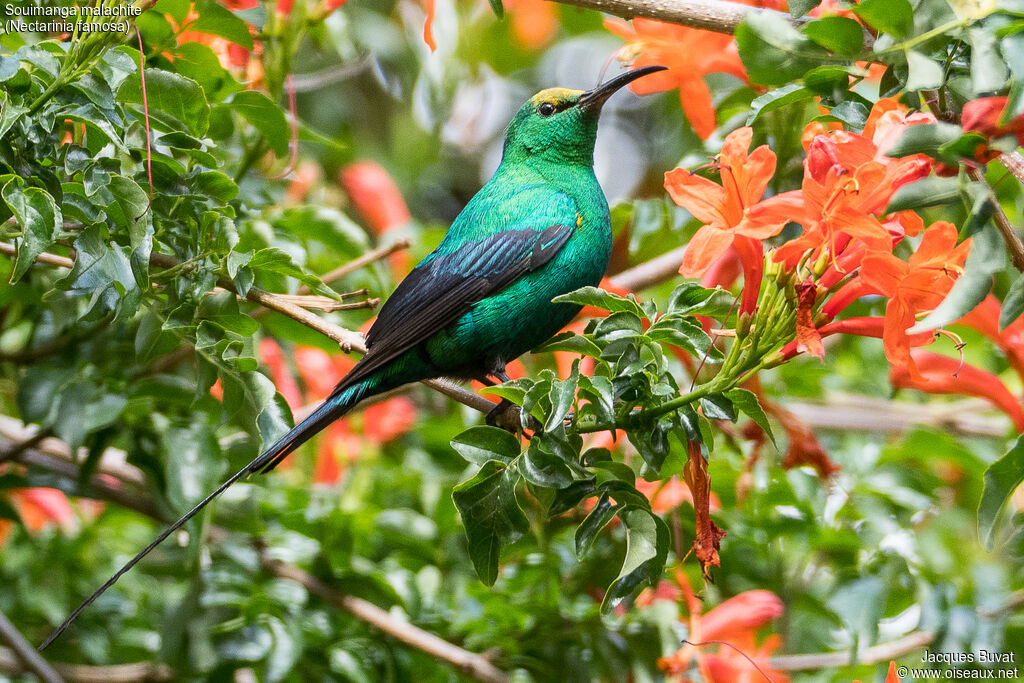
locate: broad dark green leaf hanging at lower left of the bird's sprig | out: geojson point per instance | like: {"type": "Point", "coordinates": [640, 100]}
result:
{"type": "Point", "coordinates": [491, 515]}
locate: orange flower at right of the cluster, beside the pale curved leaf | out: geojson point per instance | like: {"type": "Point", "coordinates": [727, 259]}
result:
{"type": "Point", "coordinates": [914, 287]}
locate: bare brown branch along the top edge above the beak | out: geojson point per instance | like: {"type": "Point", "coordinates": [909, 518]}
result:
{"type": "Point", "coordinates": [717, 16]}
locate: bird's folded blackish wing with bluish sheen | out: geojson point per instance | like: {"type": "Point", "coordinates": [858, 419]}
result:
{"type": "Point", "coordinates": [446, 286]}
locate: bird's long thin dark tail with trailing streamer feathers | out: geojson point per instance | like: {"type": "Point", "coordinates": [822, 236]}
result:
{"type": "Point", "coordinates": [339, 403]}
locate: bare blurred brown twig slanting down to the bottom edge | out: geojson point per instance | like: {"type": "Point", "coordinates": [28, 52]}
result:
{"type": "Point", "coordinates": [466, 662]}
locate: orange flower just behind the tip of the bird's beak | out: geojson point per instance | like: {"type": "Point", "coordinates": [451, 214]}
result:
{"type": "Point", "coordinates": [690, 55]}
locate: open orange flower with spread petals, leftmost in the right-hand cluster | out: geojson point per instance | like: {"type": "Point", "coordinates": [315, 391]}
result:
{"type": "Point", "coordinates": [723, 209]}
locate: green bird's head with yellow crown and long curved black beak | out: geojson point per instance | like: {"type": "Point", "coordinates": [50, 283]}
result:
{"type": "Point", "coordinates": [561, 125]}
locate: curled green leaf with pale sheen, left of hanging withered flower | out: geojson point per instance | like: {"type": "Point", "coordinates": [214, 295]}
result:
{"type": "Point", "coordinates": [647, 551]}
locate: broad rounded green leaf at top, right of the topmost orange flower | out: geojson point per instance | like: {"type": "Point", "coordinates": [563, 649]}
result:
{"type": "Point", "coordinates": [774, 52]}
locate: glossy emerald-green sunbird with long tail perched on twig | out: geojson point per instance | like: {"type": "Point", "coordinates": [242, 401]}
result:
{"type": "Point", "coordinates": [539, 229]}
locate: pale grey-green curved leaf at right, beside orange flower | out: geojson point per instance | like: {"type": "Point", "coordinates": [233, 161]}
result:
{"type": "Point", "coordinates": [987, 259]}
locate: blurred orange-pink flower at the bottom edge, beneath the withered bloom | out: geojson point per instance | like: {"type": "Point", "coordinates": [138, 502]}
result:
{"type": "Point", "coordinates": [734, 626]}
